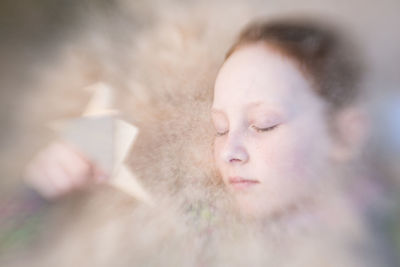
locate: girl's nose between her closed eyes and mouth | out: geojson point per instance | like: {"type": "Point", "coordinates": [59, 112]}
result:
{"type": "Point", "coordinates": [234, 151]}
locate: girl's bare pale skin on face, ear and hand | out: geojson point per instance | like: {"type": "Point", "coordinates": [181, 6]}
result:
{"type": "Point", "coordinates": [272, 144]}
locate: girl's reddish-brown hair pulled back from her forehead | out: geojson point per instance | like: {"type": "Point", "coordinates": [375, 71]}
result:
{"type": "Point", "coordinates": [326, 56]}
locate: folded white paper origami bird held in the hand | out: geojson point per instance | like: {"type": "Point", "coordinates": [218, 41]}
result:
{"type": "Point", "coordinates": [105, 139]}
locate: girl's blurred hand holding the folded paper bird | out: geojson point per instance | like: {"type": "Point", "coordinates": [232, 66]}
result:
{"type": "Point", "coordinates": [60, 169]}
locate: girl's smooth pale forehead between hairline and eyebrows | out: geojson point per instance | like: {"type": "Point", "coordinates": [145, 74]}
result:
{"type": "Point", "coordinates": [257, 73]}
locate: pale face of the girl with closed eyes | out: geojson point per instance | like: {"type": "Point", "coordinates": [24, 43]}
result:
{"type": "Point", "coordinates": [271, 142]}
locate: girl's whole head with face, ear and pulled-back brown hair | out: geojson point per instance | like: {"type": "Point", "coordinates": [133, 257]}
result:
{"type": "Point", "coordinates": [286, 116]}
